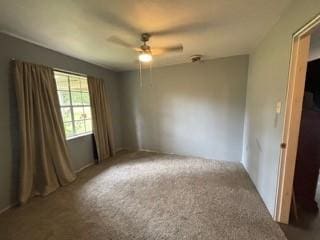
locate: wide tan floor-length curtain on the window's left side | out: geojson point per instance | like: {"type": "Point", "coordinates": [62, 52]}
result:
{"type": "Point", "coordinates": [45, 162]}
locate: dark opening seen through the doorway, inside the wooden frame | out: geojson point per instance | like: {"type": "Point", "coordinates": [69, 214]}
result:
{"type": "Point", "coordinates": [304, 215]}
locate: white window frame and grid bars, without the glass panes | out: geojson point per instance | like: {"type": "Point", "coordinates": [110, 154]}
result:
{"type": "Point", "coordinates": [71, 106]}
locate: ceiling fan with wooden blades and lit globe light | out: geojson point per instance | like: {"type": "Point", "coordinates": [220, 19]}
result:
{"type": "Point", "coordinates": [146, 52]}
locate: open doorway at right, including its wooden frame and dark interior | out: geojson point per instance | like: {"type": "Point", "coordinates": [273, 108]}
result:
{"type": "Point", "coordinates": [298, 190]}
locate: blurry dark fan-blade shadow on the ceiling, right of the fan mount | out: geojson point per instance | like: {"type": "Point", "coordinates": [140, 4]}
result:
{"type": "Point", "coordinates": [184, 28]}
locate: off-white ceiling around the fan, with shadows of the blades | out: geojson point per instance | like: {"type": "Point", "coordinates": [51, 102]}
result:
{"type": "Point", "coordinates": [80, 28]}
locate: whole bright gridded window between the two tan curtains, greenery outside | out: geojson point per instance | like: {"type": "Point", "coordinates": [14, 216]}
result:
{"type": "Point", "coordinates": [74, 101]}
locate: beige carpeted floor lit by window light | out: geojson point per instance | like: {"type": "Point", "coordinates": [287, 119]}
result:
{"type": "Point", "coordinates": [147, 196]}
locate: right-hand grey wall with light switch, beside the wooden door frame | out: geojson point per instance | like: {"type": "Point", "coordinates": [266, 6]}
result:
{"type": "Point", "coordinates": [267, 83]}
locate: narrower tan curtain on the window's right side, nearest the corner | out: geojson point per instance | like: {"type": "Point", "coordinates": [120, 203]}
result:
{"type": "Point", "coordinates": [101, 119]}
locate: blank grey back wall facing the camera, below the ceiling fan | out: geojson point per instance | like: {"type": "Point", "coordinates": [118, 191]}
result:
{"type": "Point", "coordinates": [189, 109]}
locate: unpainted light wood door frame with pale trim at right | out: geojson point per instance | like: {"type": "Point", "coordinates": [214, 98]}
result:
{"type": "Point", "coordinates": [293, 109]}
